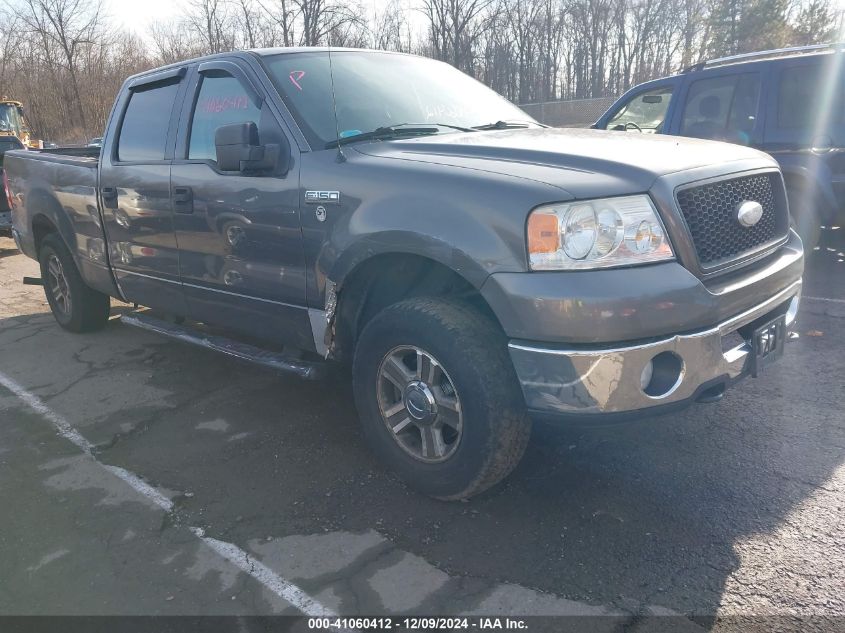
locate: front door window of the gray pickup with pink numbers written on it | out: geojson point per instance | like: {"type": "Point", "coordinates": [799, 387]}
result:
{"type": "Point", "coordinates": [222, 100]}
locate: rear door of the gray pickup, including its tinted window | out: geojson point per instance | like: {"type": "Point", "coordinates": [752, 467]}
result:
{"type": "Point", "coordinates": [135, 191]}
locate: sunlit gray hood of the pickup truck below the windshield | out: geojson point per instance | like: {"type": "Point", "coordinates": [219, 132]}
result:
{"type": "Point", "coordinates": [585, 163]}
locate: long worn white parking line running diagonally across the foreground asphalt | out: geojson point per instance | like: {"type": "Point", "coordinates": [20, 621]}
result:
{"type": "Point", "coordinates": [281, 587]}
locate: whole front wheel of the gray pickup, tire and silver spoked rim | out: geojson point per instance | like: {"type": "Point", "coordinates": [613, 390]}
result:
{"type": "Point", "coordinates": [438, 397]}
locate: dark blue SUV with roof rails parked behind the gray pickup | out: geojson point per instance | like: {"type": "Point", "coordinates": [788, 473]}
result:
{"type": "Point", "coordinates": [789, 103]}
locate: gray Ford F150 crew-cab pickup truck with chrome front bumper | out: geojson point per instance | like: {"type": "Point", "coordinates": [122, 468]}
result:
{"type": "Point", "coordinates": [474, 268]}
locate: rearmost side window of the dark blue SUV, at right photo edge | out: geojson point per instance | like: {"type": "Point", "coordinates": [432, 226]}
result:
{"type": "Point", "coordinates": [808, 94]}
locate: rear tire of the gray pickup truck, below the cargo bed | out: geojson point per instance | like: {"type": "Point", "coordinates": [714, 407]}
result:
{"type": "Point", "coordinates": [87, 310]}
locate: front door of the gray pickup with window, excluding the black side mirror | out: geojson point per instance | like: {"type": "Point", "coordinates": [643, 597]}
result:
{"type": "Point", "coordinates": [239, 235]}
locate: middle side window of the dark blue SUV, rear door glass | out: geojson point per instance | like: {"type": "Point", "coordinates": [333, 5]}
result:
{"type": "Point", "coordinates": [723, 108]}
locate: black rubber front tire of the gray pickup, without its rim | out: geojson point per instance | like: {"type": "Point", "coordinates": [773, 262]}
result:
{"type": "Point", "coordinates": [472, 353]}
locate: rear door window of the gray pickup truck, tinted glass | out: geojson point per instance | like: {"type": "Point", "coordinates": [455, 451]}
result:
{"type": "Point", "coordinates": [143, 133]}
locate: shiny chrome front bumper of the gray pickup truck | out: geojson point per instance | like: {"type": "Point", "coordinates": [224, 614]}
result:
{"type": "Point", "coordinates": [610, 381]}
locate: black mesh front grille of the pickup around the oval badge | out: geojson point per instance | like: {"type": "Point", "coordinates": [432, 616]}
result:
{"type": "Point", "coordinates": [711, 214]}
